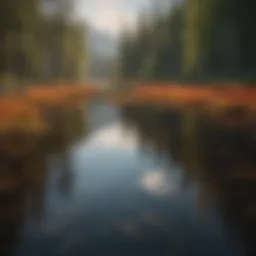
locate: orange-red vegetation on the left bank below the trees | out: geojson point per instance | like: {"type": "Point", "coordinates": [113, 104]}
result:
{"type": "Point", "coordinates": [24, 112]}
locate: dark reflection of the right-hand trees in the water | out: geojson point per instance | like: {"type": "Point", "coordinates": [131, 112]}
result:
{"type": "Point", "coordinates": [220, 159]}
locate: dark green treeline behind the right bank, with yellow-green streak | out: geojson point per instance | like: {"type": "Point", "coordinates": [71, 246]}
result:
{"type": "Point", "coordinates": [196, 41]}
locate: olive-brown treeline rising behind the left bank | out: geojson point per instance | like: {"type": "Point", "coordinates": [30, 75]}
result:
{"type": "Point", "coordinates": [38, 43]}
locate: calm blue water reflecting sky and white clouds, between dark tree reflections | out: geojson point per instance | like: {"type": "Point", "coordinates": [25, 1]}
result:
{"type": "Point", "coordinates": [117, 199]}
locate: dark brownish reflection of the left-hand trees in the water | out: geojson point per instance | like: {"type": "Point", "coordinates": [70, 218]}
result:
{"type": "Point", "coordinates": [23, 177]}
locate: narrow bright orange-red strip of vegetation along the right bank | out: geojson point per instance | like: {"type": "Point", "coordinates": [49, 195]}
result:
{"type": "Point", "coordinates": [197, 94]}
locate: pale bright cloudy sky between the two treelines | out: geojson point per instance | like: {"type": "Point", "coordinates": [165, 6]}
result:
{"type": "Point", "coordinates": [110, 16]}
